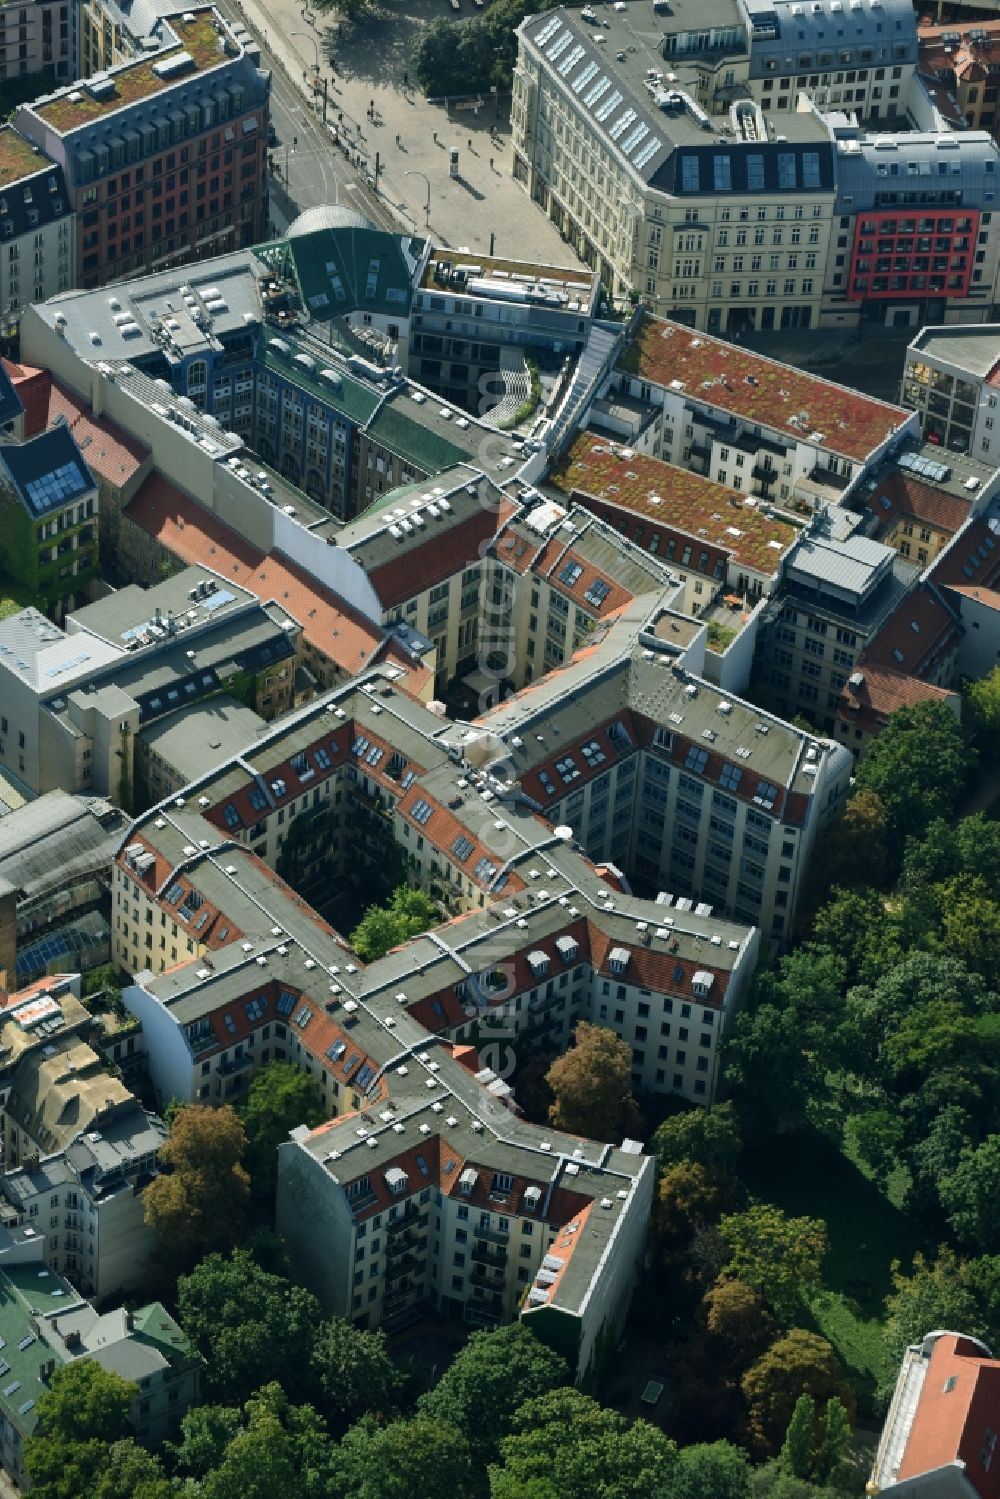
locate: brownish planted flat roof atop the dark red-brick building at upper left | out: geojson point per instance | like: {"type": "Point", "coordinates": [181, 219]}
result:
{"type": "Point", "coordinates": [200, 41]}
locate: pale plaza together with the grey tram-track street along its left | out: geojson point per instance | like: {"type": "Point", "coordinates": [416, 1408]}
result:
{"type": "Point", "coordinates": [373, 68]}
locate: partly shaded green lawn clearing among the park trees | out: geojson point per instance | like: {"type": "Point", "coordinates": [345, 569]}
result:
{"type": "Point", "coordinates": [866, 1234]}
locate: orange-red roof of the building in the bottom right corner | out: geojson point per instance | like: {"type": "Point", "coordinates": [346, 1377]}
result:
{"type": "Point", "coordinates": [956, 1413]}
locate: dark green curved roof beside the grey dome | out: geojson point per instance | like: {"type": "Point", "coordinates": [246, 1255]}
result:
{"type": "Point", "coordinates": [352, 271]}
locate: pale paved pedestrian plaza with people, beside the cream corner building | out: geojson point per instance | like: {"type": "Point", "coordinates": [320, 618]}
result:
{"type": "Point", "coordinates": [373, 68]}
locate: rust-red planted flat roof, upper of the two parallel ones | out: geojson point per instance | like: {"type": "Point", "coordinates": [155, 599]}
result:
{"type": "Point", "coordinates": [761, 390]}
